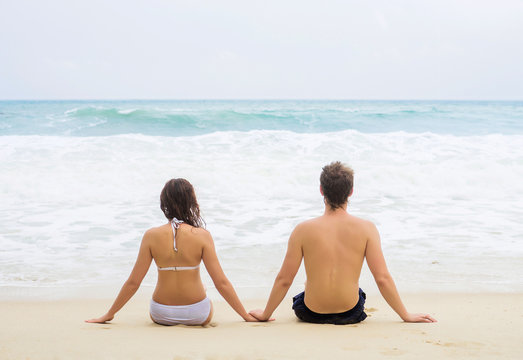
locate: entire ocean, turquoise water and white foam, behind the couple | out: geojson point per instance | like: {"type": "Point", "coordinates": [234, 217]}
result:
{"type": "Point", "coordinates": [80, 183]}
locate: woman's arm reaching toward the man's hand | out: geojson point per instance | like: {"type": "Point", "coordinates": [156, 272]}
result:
{"type": "Point", "coordinates": [223, 285]}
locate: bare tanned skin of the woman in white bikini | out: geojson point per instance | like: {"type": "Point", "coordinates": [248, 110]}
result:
{"type": "Point", "coordinates": [177, 287]}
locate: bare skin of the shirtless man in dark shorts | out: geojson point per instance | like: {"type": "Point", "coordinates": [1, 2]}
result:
{"type": "Point", "coordinates": [333, 247]}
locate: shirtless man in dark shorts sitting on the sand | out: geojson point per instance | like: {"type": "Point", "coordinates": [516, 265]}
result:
{"type": "Point", "coordinates": [333, 247]}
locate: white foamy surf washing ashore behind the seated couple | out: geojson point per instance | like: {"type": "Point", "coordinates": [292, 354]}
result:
{"type": "Point", "coordinates": [73, 209]}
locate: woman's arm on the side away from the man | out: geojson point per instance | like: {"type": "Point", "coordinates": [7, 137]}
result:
{"type": "Point", "coordinates": [129, 288]}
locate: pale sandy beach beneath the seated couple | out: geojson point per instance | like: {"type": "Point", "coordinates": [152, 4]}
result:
{"type": "Point", "coordinates": [479, 326]}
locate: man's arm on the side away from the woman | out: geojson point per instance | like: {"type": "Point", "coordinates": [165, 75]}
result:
{"type": "Point", "coordinates": [386, 285]}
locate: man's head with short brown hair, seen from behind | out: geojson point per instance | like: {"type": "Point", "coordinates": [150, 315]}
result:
{"type": "Point", "coordinates": [336, 182]}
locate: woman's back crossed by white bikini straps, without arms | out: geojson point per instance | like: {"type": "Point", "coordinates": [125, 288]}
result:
{"type": "Point", "coordinates": [177, 286]}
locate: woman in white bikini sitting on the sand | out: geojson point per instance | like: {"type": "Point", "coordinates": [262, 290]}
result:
{"type": "Point", "coordinates": [177, 248]}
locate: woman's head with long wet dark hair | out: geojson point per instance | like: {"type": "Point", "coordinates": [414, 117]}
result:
{"type": "Point", "coordinates": [178, 200]}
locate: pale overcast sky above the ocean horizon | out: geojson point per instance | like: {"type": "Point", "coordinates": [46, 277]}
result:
{"type": "Point", "coordinates": [285, 49]}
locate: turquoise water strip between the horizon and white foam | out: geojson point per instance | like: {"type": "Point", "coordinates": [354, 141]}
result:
{"type": "Point", "coordinates": [186, 118]}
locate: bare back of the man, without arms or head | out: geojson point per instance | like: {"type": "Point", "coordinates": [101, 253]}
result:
{"type": "Point", "coordinates": [333, 248]}
